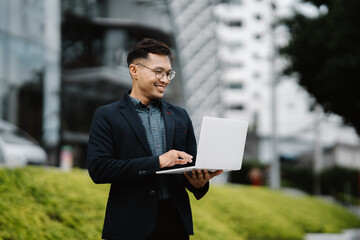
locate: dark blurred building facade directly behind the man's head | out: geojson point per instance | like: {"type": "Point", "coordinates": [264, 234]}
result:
{"type": "Point", "coordinates": [96, 36]}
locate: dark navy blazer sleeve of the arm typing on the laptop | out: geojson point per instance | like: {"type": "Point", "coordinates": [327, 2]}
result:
{"type": "Point", "coordinates": [102, 165]}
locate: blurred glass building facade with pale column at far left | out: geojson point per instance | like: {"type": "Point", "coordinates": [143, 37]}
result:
{"type": "Point", "coordinates": [30, 68]}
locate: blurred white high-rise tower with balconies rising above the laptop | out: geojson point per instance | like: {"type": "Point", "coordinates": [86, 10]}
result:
{"type": "Point", "coordinates": [246, 51]}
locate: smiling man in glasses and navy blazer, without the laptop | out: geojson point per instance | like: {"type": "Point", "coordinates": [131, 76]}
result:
{"type": "Point", "coordinates": [133, 138]}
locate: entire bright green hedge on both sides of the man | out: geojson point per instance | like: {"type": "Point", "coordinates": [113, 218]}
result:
{"type": "Point", "coordinates": [44, 203]}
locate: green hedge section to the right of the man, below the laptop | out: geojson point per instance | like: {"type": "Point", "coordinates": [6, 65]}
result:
{"type": "Point", "coordinates": [260, 213]}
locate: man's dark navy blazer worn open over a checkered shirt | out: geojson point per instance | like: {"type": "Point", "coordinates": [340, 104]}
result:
{"type": "Point", "coordinates": [118, 153]}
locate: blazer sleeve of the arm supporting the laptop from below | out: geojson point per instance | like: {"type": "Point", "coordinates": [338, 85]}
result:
{"type": "Point", "coordinates": [191, 149]}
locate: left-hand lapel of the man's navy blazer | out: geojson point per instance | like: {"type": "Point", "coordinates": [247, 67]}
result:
{"type": "Point", "coordinates": [129, 112]}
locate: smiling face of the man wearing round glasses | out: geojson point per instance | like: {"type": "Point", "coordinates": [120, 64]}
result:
{"type": "Point", "coordinates": [146, 86]}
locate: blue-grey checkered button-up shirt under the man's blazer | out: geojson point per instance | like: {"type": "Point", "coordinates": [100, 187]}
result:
{"type": "Point", "coordinates": [153, 122]}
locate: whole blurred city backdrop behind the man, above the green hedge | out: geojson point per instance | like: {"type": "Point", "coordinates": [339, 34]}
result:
{"type": "Point", "coordinates": [60, 60]}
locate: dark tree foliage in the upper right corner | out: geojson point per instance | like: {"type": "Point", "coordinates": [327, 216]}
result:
{"type": "Point", "coordinates": [324, 53]}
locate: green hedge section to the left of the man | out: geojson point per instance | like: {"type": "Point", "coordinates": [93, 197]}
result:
{"type": "Point", "coordinates": [39, 203]}
